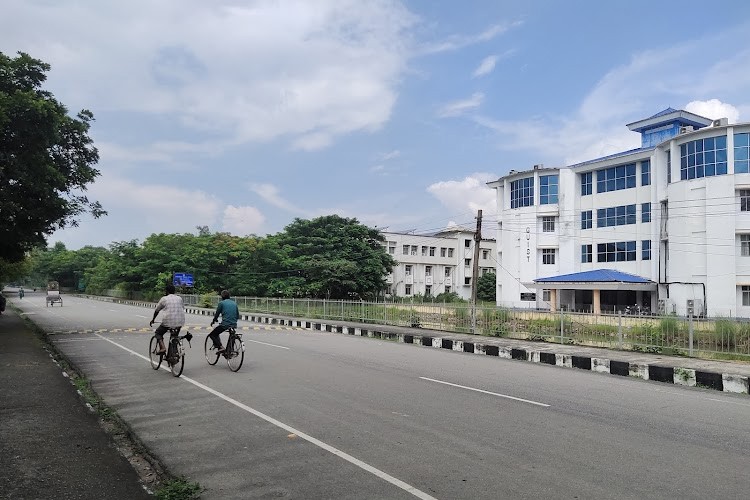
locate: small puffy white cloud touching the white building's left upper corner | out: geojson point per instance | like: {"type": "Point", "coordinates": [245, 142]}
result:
{"type": "Point", "coordinates": [467, 195]}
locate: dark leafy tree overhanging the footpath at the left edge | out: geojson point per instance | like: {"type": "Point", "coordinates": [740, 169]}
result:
{"type": "Point", "coordinates": [46, 159]}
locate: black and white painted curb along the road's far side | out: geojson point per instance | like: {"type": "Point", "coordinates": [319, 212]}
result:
{"type": "Point", "coordinates": [726, 382]}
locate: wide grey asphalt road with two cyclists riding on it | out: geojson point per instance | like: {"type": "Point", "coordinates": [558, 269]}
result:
{"type": "Point", "coordinates": [321, 415]}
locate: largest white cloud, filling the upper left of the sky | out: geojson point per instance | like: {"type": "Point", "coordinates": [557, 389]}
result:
{"type": "Point", "coordinates": [246, 72]}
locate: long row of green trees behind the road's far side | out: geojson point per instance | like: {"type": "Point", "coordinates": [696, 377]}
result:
{"type": "Point", "coordinates": [326, 257]}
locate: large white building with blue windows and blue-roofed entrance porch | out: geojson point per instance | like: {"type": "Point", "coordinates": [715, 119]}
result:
{"type": "Point", "coordinates": [664, 226]}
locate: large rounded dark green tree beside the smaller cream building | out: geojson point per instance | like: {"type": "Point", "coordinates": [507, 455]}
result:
{"type": "Point", "coordinates": [332, 257]}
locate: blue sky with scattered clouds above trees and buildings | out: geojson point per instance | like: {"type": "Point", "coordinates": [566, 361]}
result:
{"type": "Point", "coordinates": [244, 115]}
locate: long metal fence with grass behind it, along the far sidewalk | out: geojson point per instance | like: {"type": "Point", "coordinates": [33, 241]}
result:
{"type": "Point", "coordinates": [727, 338]}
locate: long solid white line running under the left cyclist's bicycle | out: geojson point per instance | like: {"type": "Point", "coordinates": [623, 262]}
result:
{"type": "Point", "coordinates": [355, 461]}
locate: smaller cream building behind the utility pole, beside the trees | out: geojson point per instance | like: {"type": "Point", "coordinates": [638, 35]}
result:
{"type": "Point", "coordinates": [438, 263]}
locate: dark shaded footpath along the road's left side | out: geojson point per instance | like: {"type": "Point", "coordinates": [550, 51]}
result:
{"type": "Point", "coordinates": [51, 443]}
